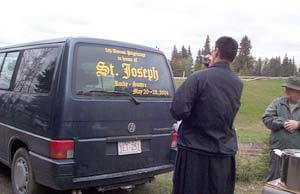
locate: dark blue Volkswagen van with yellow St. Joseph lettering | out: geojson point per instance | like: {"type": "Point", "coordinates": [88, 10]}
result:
{"type": "Point", "coordinates": [82, 112]}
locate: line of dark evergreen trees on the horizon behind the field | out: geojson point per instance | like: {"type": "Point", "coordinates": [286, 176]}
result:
{"type": "Point", "coordinates": [183, 64]}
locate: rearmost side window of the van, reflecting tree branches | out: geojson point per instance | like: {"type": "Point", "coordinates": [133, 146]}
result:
{"type": "Point", "coordinates": [36, 70]}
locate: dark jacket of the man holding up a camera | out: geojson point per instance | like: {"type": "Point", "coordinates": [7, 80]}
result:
{"type": "Point", "coordinates": [207, 103]}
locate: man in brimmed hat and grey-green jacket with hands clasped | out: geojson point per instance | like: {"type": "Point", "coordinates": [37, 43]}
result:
{"type": "Point", "coordinates": [282, 117]}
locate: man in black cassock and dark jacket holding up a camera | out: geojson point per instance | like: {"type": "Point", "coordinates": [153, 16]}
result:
{"type": "Point", "coordinates": [207, 103]}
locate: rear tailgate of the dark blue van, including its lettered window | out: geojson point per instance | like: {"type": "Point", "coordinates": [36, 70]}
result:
{"type": "Point", "coordinates": [119, 112]}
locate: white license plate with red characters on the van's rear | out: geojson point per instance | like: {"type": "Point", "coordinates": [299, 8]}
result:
{"type": "Point", "coordinates": [130, 147]}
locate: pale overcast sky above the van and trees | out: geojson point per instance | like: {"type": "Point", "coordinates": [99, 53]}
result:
{"type": "Point", "coordinates": [272, 26]}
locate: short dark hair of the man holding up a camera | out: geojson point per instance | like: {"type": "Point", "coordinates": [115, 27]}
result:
{"type": "Point", "coordinates": [227, 47]}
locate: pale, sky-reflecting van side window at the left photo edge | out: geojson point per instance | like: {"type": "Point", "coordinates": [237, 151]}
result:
{"type": "Point", "coordinates": [7, 69]}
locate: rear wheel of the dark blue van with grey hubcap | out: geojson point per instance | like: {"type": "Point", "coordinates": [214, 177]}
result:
{"type": "Point", "coordinates": [21, 174]}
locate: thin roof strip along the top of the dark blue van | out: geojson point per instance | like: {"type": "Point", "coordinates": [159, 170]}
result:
{"type": "Point", "coordinates": [82, 39]}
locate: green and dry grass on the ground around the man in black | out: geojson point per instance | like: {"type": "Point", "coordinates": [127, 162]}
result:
{"type": "Point", "coordinates": [251, 170]}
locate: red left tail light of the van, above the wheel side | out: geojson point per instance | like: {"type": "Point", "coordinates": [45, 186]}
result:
{"type": "Point", "coordinates": [61, 149]}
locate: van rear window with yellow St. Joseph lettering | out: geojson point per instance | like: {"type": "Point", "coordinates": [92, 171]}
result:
{"type": "Point", "coordinates": [109, 68]}
